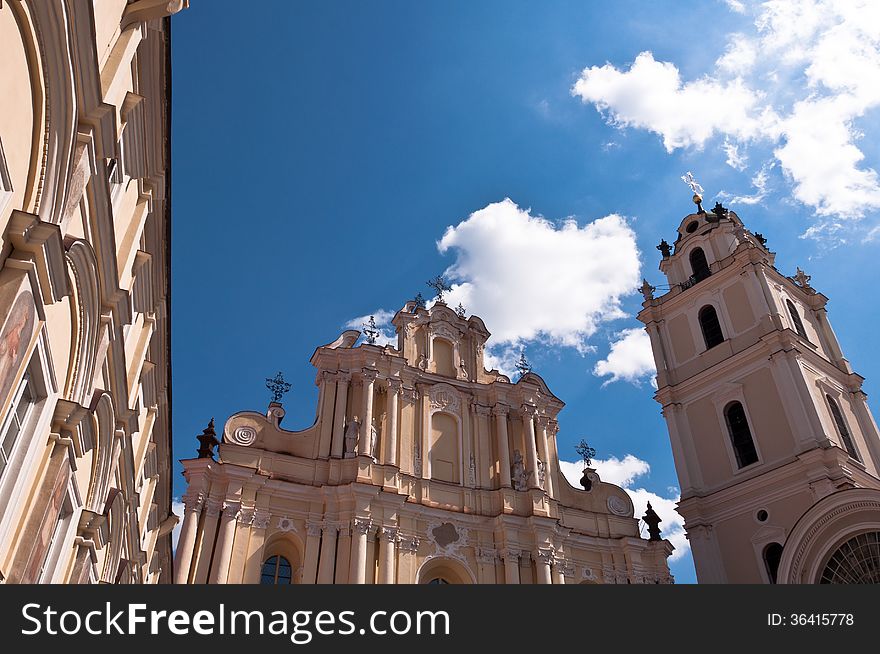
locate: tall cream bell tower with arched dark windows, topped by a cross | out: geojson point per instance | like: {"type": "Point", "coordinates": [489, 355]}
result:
{"type": "Point", "coordinates": [777, 453]}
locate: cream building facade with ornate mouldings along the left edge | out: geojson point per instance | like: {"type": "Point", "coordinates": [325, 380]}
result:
{"type": "Point", "coordinates": [85, 485]}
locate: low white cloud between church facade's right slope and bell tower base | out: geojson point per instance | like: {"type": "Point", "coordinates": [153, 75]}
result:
{"type": "Point", "coordinates": [623, 473]}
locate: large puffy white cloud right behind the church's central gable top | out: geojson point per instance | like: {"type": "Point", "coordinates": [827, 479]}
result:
{"type": "Point", "coordinates": [531, 279]}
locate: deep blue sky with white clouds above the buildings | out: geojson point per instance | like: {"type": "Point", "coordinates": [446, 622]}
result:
{"type": "Point", "coordinates": [322, 150]}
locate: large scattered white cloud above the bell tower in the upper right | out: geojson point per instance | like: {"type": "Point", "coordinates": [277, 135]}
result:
{"type": "Point", "coordinates": [802, 80]}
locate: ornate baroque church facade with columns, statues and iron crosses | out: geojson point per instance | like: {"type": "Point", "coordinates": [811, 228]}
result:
{"type": "Point", "coordinates": [420, 467]}
